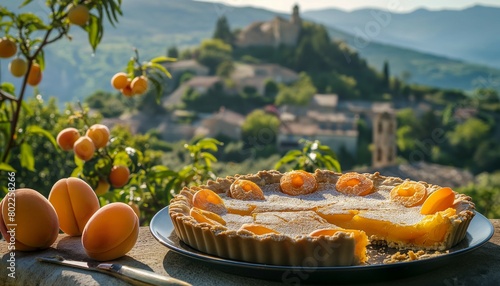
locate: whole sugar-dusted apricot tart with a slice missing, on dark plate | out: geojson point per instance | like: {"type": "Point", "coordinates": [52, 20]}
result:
{"type": "Point", "coordinates": [320, 219]}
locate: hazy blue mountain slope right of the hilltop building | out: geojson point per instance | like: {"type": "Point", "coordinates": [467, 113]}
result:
{"type": "Point", "coordinates": [470, 34]}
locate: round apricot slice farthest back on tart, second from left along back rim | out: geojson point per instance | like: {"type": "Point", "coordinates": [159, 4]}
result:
{"type": "Point", "coordinates": [298, 182]}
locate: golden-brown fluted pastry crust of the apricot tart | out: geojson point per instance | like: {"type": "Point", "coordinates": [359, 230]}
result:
{"type": "Point", "coordinates": [304, 250]}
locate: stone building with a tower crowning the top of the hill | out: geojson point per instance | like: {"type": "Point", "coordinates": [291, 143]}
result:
{"type": "Point", "coordinates": [274, 33]}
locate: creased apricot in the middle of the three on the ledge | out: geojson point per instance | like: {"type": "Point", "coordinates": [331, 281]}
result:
{"type": "Point", "coordinates": [75, 202]}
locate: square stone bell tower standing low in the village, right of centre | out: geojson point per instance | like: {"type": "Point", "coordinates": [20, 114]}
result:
{"type": "Point", "coordinates": [384, 140]}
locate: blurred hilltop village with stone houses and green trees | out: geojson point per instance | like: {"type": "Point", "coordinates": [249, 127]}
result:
{"type": "Point", "coordinates": [291, 71]}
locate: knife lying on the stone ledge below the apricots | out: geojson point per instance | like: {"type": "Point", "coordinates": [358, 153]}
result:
{"type": "Point", "coordinates": [134, 276]}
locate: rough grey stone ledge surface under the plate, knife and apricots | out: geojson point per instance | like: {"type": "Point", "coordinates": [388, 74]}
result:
{"type": "Point", "coordinates": [477, 267]}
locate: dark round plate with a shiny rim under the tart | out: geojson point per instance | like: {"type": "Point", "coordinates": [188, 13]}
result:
{"type": "Point", "coordinates": [479, 232]}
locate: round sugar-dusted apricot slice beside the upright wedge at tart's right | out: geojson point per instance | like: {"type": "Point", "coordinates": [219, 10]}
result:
{"type": "Point", "coordinates": [409, 194]}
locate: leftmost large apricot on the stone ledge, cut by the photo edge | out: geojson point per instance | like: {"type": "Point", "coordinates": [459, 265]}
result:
{"type": "Point", "coordinates": [30, 218]}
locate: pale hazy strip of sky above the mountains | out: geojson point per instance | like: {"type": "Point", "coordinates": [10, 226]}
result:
{"type": "Point", "coordinates": [393, 5]}
